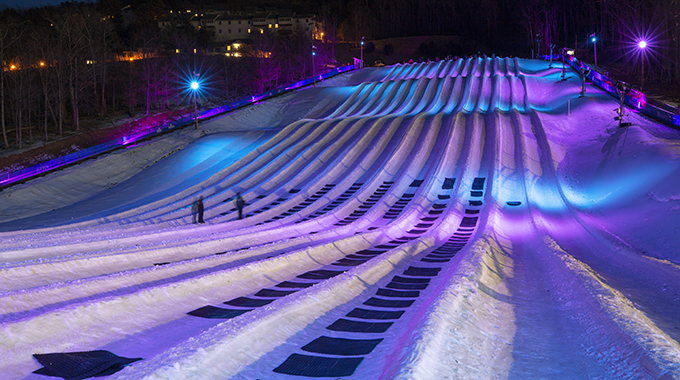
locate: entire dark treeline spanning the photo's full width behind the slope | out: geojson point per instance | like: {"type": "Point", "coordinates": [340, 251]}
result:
{"type": "Point", "coordinates": [62, 64]}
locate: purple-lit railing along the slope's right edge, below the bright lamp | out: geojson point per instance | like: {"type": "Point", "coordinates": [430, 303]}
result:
{"type": "Point", "coordinates": [633, 98]}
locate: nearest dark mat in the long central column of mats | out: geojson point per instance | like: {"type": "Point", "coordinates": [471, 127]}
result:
{"type": "Point", "coordinates": [318, 366]}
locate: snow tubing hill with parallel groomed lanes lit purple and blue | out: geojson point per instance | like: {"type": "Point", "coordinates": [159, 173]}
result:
{"type": "Point", "coordinates": [415, 224]}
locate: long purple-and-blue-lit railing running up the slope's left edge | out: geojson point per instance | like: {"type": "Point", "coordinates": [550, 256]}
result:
{"type": "Point", "coordinates": [152, 127]}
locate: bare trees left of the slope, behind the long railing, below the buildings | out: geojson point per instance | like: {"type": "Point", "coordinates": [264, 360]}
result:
{"type": "Point", "coordinates": [76, 62]}
